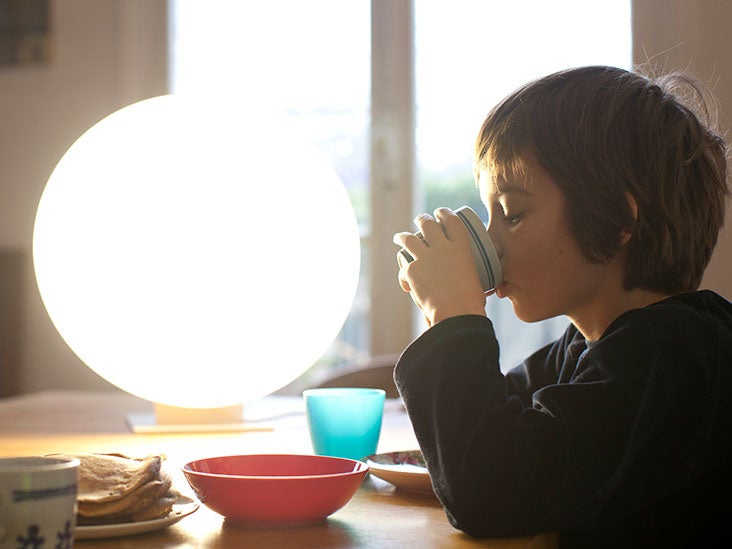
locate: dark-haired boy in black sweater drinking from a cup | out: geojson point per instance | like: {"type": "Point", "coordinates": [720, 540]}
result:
{"type": "Point", "coordinates": [605, 194]}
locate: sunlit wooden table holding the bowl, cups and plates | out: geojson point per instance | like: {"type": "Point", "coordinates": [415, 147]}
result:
{"type": "Point", "coordinates": [379, 515]}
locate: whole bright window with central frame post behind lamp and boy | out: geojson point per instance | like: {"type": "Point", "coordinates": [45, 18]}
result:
{"type": "Point", "coordinates": [402, 82]}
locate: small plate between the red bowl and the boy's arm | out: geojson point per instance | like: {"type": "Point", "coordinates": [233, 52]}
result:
{"type": "Point", "coordinates": [406, 470]}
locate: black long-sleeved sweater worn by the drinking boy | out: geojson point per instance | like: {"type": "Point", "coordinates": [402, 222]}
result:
{"type": "Point", "coordinates": [627, 443]}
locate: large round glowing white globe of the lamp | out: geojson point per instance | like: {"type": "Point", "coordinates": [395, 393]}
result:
{"type": "Point", "coordinates": [195, 252]}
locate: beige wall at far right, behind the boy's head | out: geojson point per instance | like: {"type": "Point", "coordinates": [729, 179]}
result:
{"type": "Point", "coordinates": [693, 36]}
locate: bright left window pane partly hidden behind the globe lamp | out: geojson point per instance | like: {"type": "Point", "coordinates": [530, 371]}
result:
{"type": "Point", "coordinates": [310, 59]}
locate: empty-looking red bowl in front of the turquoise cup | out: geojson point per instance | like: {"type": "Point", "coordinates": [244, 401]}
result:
{"type": "Point", "coordinates": [275, 490]}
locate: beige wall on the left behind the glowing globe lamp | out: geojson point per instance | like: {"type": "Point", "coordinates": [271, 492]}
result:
{"type": "Point", "coordinates": [105, 54]}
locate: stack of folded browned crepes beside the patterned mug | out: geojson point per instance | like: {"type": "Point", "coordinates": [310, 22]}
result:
{"type": "Point", "coordinates": [114, 489]}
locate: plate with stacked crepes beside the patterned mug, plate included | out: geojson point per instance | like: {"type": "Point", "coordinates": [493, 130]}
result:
{"type": "Point", "coordinates": [120, 495]}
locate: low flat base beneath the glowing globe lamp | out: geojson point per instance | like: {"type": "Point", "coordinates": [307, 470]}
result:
{"type": "Point", "coordinates": [170, 419]}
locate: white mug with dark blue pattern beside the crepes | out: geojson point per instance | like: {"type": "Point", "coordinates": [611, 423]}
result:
{"type": "Point", "coordinates": [38, 502]}
